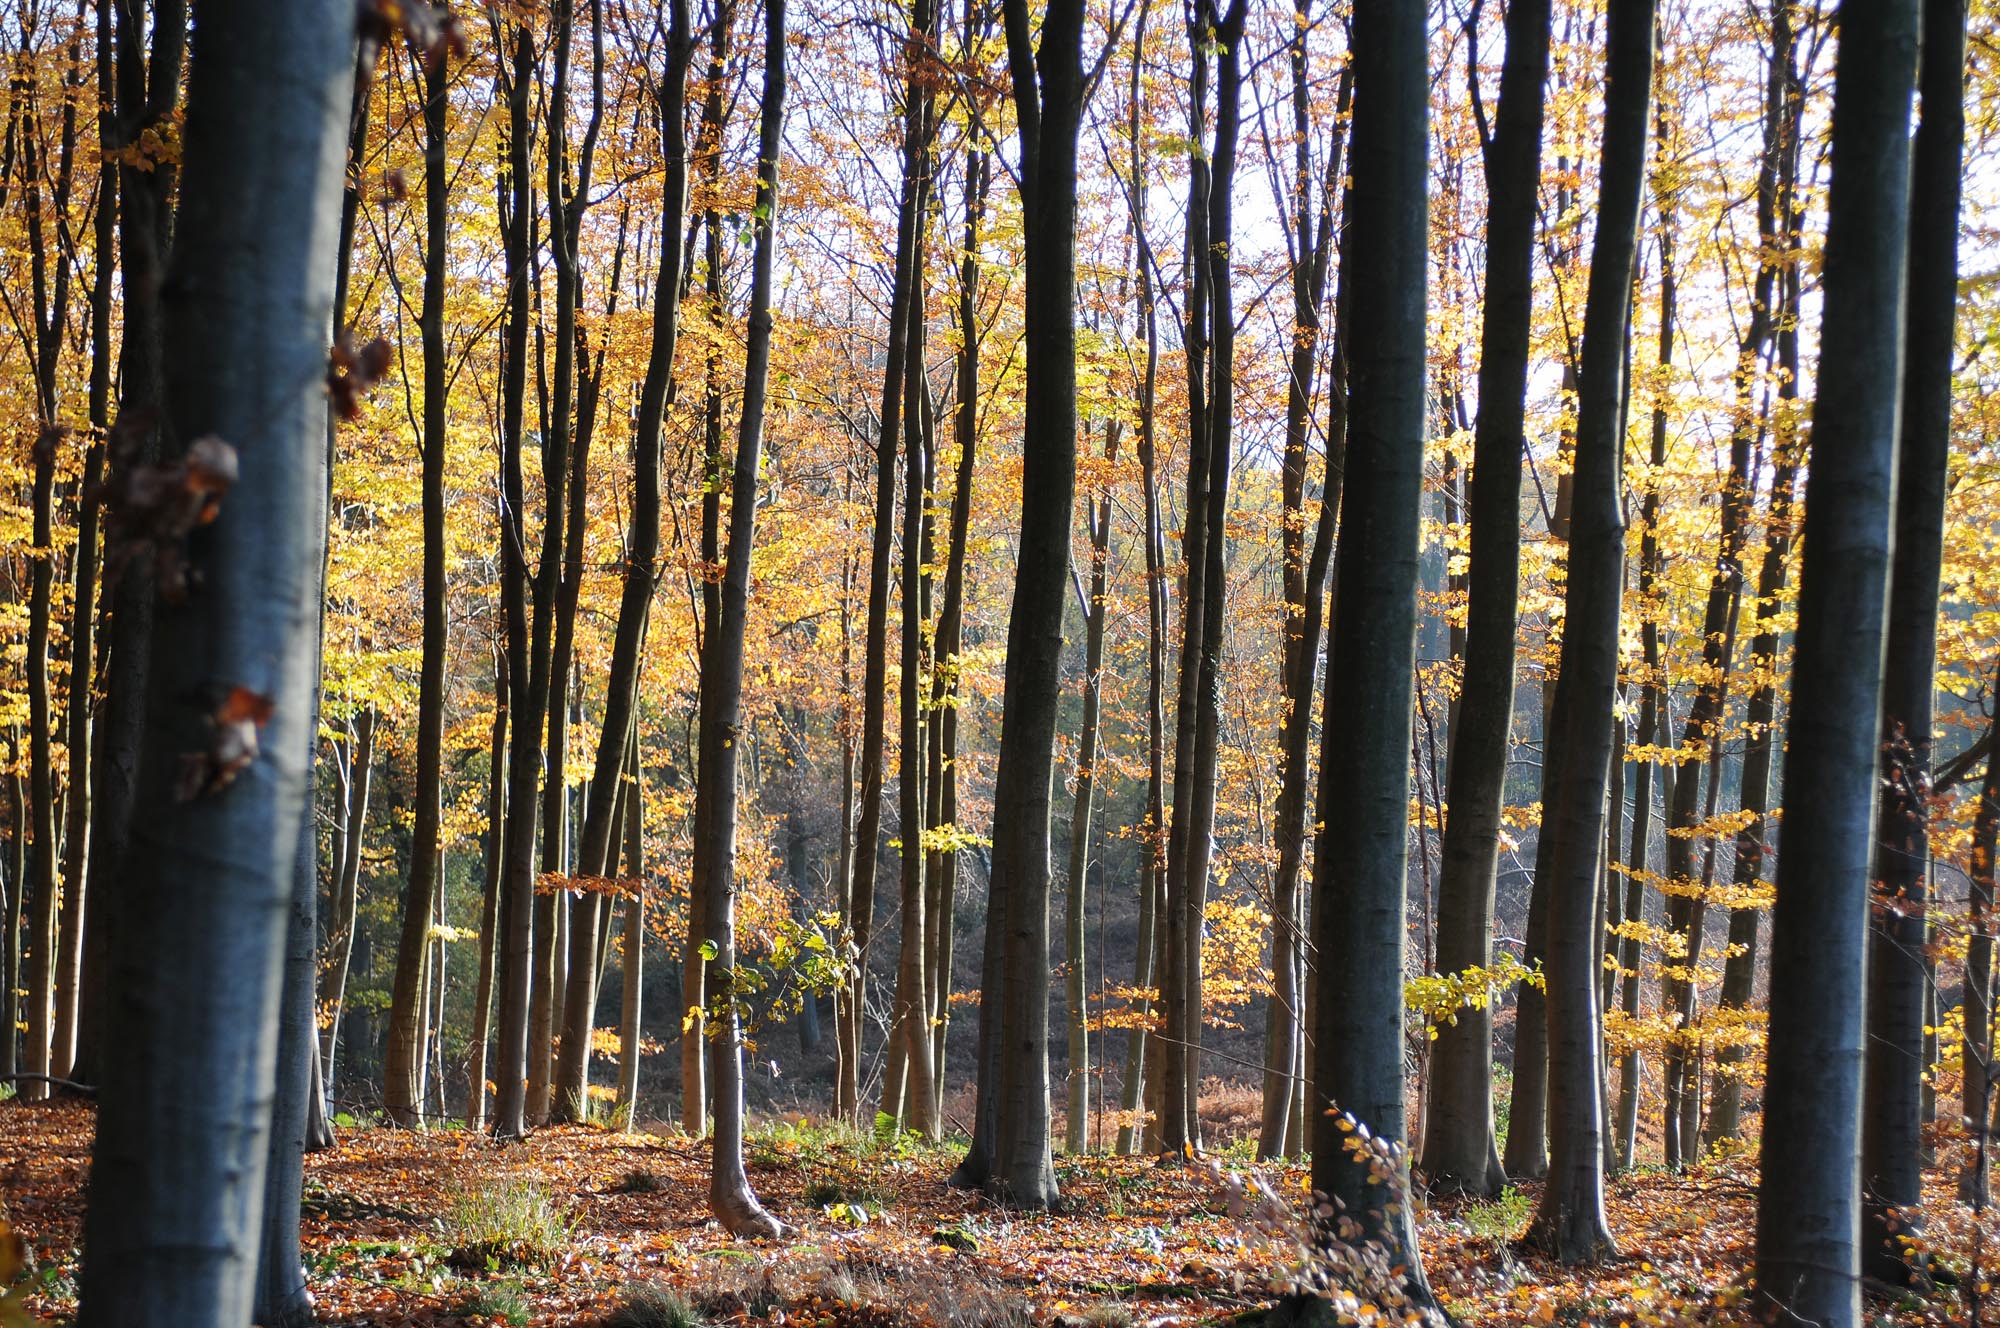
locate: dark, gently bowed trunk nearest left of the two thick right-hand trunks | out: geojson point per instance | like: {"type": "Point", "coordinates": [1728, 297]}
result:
{"type": "Point", "coordinates": [1571, 1219]}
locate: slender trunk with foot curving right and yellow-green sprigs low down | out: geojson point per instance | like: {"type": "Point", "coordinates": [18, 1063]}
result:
{"type": "Point", "coordinates": [721, 703]}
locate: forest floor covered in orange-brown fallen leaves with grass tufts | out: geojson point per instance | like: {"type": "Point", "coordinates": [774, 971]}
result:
{"type": "Point", "coordinates": [445, 1229]}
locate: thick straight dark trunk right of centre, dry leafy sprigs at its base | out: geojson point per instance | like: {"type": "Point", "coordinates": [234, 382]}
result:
{"type": "Point", "coordinates": [1363, 851]}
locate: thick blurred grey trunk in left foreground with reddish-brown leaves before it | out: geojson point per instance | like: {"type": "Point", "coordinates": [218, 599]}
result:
{"type": "Point", "coordinates": [185, 1109]}
